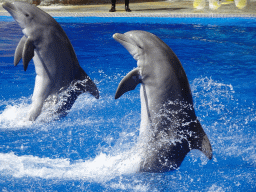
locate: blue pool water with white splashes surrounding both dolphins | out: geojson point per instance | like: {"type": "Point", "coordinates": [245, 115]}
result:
{"type": "Point", "coordinates": [87, 150]}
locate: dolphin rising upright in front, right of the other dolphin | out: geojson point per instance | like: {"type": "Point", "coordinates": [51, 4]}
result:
{"type": "Point", "coordinates": [169, 127]}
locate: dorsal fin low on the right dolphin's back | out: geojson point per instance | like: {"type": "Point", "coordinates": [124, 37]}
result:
{"type": "Point", "coordinates": [200, 141]}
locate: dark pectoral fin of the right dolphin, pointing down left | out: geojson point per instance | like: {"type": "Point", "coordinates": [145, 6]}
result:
{"type": "Point", "coordinates": [128, 83]}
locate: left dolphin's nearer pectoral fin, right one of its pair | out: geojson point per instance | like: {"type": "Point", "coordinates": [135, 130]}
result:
{"type": "Point", "coordinates": [28, 53]}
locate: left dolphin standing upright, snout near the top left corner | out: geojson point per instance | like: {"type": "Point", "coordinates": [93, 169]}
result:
{"type": "Point", "coordinates": [56, 64]}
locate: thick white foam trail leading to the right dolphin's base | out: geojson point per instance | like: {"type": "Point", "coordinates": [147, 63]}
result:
{"type": "Point", "coordinates": [101, 169]}
